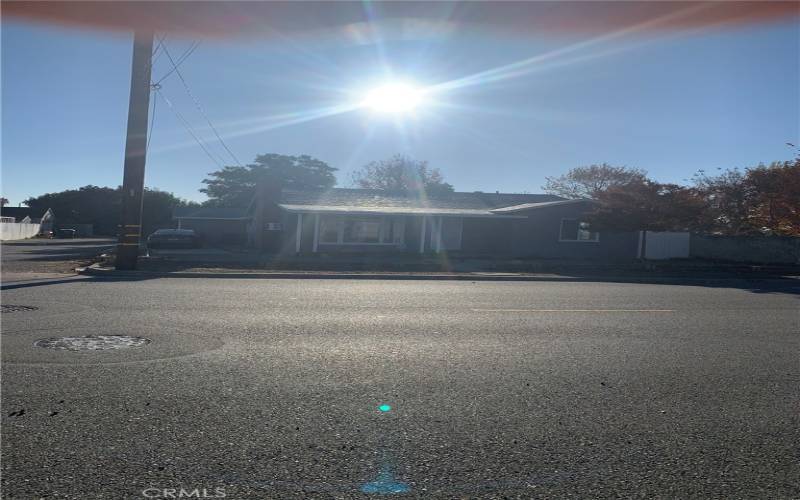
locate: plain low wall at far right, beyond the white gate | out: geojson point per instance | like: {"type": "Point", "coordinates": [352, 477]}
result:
{"type": "Point", "coordinates": [752, 249]}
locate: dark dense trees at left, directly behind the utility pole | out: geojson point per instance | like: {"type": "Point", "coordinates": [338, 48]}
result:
{"type": "Point", "coordinates": [102, 207]}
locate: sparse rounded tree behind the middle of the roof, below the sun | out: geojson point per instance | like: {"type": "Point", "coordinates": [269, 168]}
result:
{"type": "Point", "coordinates": [401, 173]}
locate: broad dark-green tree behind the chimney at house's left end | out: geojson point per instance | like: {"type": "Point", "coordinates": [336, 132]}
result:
{"type": "Point", "coordinates": [235, 186]}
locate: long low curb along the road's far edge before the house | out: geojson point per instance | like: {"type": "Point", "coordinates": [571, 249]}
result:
{"type": "Point", "coordinates": [113, 273]}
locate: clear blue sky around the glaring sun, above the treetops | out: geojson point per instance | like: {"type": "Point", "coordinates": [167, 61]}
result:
{"type": "Point", "coordinates": [670, 103]}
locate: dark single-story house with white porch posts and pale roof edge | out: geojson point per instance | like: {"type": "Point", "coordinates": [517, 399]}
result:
{"type": "Point", "coordinates": [502, 225]}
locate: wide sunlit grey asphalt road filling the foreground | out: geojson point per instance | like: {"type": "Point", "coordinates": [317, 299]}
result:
{"type": "Point", "coordinates": [271, 389]}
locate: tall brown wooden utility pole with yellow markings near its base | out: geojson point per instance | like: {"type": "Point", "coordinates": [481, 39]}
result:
{"type": "Point", "coordinates": [130, 230]}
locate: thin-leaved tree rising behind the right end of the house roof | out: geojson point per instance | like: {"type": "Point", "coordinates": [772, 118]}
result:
{"type": "Point", "coordinates": [589, 182]}
